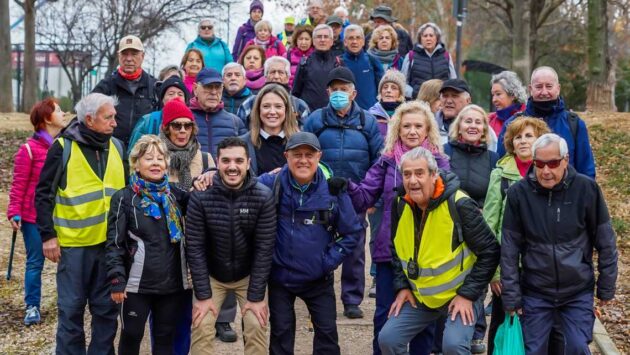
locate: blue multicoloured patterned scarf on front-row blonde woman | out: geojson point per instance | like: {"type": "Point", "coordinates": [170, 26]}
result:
{"type": "Point", "coordinates": [153, 195]}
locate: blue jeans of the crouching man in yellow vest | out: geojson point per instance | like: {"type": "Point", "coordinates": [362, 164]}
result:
{"type": "Point", "coordinates": [398, 331]}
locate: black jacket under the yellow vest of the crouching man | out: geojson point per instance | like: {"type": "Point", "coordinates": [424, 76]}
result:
{"type": "Point", "coordinates": [477, 236]}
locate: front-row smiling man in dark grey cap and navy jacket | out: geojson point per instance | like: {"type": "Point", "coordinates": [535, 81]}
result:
{"type": "Point", "coordinates": [317, 228]}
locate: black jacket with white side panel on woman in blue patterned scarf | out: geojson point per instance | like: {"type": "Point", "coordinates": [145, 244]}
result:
{"type": "Point", "coordinates": [139, 254]}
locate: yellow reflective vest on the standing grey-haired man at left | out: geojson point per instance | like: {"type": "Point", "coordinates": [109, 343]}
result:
{"type": "Point", "coordinates": [80, 214]}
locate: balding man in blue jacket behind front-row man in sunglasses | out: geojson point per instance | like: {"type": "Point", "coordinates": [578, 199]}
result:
{"type": "Point", "coordinates": [547, 104]}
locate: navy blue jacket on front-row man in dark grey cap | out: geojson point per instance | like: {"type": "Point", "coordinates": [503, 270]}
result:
{"type": "Point", "coordinates": [305, 250]}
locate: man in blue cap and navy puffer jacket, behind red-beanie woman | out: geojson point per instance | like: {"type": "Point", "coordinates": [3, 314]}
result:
{"type": "Point", "coordinates": [213, 121]}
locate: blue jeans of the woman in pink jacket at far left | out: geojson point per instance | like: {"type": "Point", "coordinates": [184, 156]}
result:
{"type": "Point", "coordinates": [34, 264]}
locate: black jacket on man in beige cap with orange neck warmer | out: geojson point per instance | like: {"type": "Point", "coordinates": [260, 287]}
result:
{"type": "Point", "coordinates": [132, 103]}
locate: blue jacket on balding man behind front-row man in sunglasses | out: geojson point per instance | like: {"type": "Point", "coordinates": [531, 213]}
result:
{"type": "Point", "coordinates": [580, 152]}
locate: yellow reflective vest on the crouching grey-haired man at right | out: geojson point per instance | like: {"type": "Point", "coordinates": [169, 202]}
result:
{"type": "Point", "coordinates": [441, 270]}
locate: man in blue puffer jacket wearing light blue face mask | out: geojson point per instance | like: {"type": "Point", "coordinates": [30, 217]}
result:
{"type": "Point", "coordinates": [351, 144]}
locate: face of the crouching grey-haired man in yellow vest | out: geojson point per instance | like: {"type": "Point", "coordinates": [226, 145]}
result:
{"type": "Point", "coordinates": [418, 181]}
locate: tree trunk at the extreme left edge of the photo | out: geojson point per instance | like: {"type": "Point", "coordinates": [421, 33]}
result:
{"type": "Point", "coordinates": [6, 85]}
